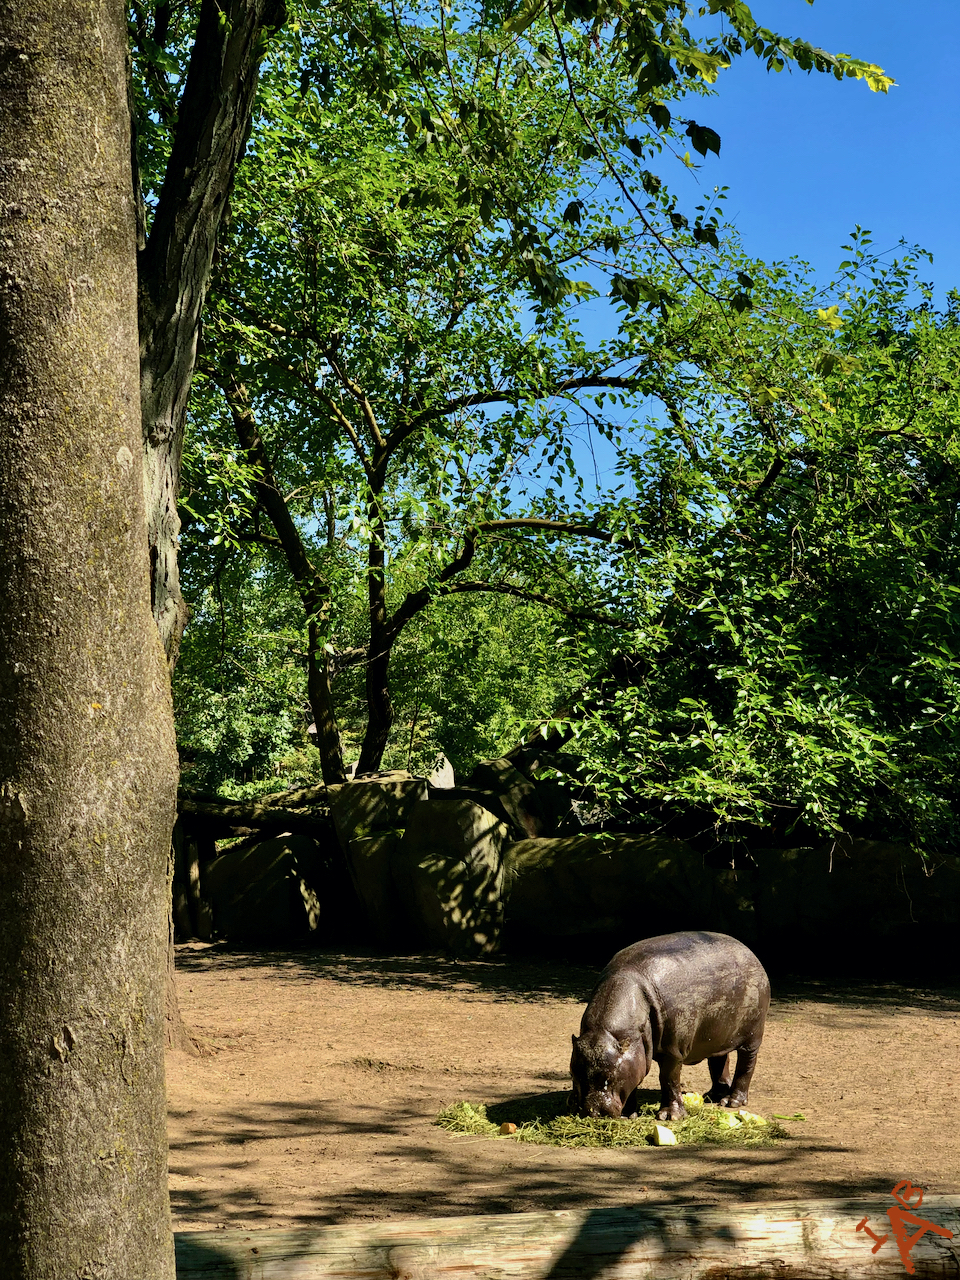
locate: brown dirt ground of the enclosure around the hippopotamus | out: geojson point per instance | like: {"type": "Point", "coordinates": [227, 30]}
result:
{"type": "Point", "coordinates": [324, 1073]}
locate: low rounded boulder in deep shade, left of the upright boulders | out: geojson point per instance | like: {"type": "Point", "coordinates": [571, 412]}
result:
{"type": "Point", "coordinates": [268, 893]}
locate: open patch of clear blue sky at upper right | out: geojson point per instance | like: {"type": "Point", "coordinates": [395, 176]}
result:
{"type": "Point", "coordinates": [807, 157]}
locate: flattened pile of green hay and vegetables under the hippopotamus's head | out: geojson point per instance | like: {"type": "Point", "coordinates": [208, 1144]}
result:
{"type": "Point", "coordinates": [547, 1121]}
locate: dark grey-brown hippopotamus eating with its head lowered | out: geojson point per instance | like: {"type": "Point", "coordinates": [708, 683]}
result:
{"type": "Point", "coordinates": [674, 1000]}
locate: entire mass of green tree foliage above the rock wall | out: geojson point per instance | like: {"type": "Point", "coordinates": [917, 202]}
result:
{"type": "Point", "coordinates": [744, 609]}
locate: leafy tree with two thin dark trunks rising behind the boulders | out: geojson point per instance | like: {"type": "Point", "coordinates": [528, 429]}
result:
{"type": "Point", "coordinates": [413, 378]}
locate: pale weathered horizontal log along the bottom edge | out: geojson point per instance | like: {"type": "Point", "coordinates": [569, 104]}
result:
{"type": "Point", "coordinates": [788, 1241]}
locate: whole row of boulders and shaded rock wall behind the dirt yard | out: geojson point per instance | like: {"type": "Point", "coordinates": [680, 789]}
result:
{"type": "Point", "coordinates": [487, 863]}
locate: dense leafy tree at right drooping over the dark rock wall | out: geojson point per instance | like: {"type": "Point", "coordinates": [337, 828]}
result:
{"type": "Point", "coordinates": [799, 660]}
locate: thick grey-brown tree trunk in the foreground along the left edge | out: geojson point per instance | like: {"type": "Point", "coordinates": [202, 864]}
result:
{"type": "Point", "coordinates": [88, 758]}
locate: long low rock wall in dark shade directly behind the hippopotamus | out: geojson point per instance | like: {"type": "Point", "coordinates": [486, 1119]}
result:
{"type": "Point", "coordinates": [852, 902]}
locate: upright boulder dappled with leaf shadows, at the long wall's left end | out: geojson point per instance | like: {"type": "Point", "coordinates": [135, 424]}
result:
{"type": "Point", "coordinates": [449, 875]}
